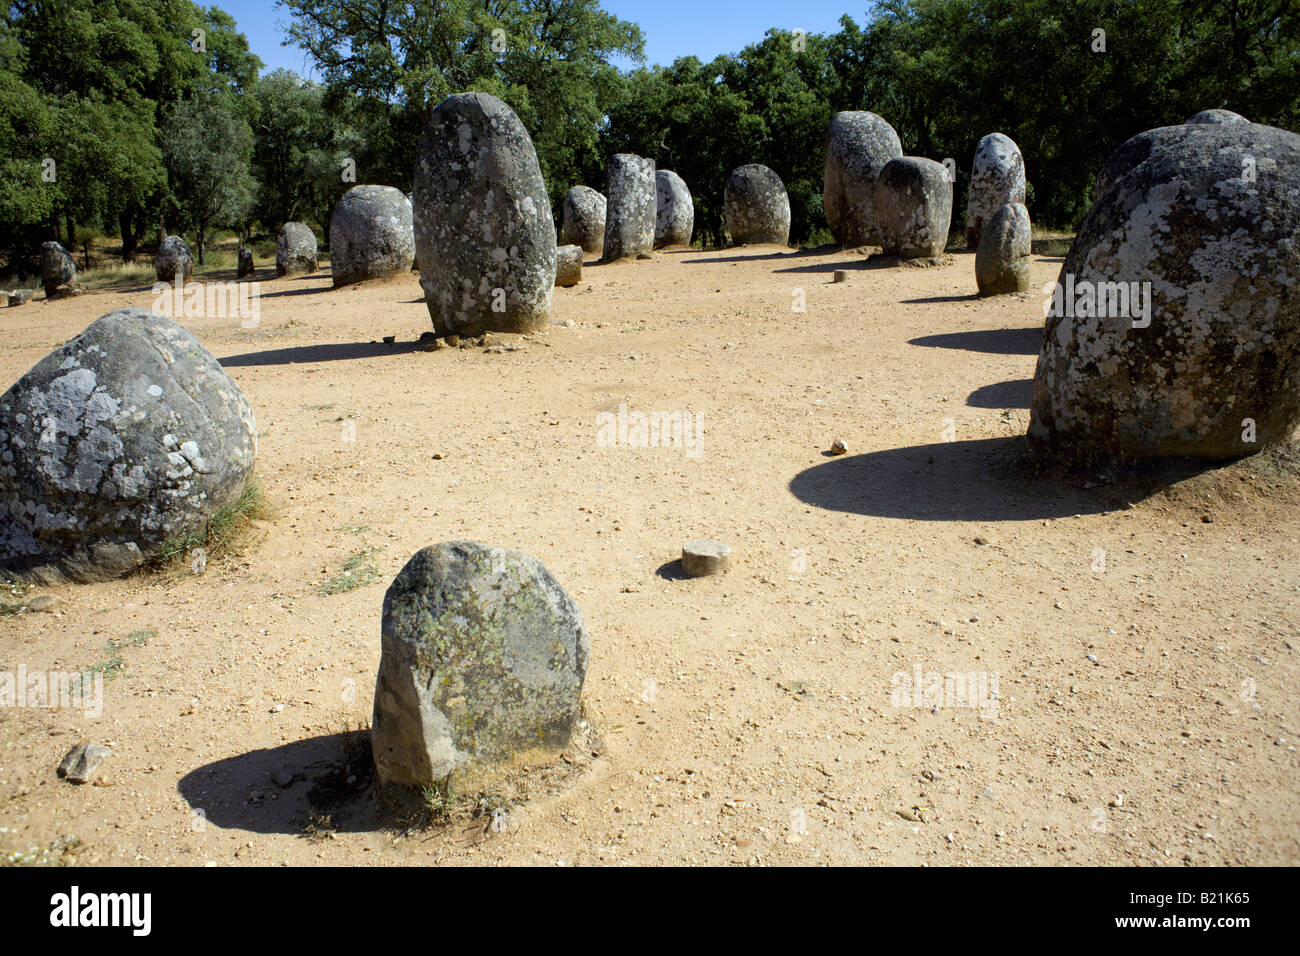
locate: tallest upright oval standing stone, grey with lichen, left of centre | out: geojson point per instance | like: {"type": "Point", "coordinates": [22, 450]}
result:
{"type": "Point", "coordinates": [484, 222]}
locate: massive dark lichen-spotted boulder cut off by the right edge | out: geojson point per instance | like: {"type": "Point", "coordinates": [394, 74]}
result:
{"type": "Point", "coordinates": [1176, 325]}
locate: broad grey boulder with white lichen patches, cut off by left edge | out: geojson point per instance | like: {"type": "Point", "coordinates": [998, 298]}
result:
{"type": "Point", "coordinates": [125, 438]}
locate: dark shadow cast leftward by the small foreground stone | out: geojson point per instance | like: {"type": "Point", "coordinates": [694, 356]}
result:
{"type": "Point", "coordinates": [240, 793]}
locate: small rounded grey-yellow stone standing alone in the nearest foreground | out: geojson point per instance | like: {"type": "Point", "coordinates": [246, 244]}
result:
{"type": "Point", "coordinates": [483, 663]}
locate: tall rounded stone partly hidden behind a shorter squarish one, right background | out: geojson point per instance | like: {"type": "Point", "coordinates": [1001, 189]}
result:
{"type": "Point", "coordinates": [857, 148]}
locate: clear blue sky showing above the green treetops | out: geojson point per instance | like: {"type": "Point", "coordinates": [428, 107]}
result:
{"type": "Point", "coordinates": [671, 28]}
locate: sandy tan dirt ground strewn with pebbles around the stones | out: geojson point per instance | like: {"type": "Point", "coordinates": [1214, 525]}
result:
{"type": "Point", "coordinates": [747, 719]}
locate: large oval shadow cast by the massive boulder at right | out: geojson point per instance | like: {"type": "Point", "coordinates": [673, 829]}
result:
{"type": "Point", "coordinates": [985, 481]}
